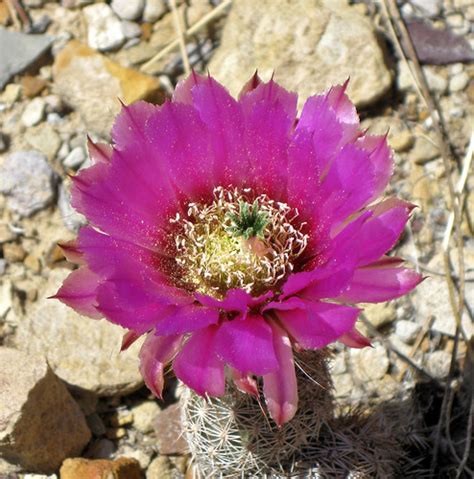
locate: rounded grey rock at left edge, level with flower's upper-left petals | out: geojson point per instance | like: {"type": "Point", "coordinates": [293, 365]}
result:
{"type": "Point", "coordinates": [28, 182]}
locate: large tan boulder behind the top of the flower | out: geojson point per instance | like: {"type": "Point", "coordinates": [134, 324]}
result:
{"type": "Point", "coordinates": [310, 47]}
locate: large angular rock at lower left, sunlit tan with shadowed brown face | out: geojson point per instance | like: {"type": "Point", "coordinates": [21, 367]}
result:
{"type": "Point", "coordinates": [40, 424]}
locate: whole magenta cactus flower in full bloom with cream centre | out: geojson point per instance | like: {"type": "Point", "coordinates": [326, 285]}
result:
{"type": "Point", "coordinates": [230, 233]}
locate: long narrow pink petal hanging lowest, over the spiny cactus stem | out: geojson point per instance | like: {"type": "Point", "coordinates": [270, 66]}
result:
{"type": "Point", "coordinates": [280, 387]}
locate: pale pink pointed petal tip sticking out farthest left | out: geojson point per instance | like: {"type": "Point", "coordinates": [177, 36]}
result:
{"type": "Point", "coordinates": [79, 291]}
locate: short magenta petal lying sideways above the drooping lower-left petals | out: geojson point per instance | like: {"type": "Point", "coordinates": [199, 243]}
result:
{"type": "Point", "coordinates": [184, 319]}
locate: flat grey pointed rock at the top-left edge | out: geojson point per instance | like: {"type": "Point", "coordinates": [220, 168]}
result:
{"type": "Point", "coordinates": [19, 51]}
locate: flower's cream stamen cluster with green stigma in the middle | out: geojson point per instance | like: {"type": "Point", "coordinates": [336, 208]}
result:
{"type": "Point", "coordinates": [238, 241]}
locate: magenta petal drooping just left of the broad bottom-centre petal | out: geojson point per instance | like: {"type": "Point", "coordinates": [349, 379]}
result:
{"type": "Point", "coordinates": [198, 366]}
